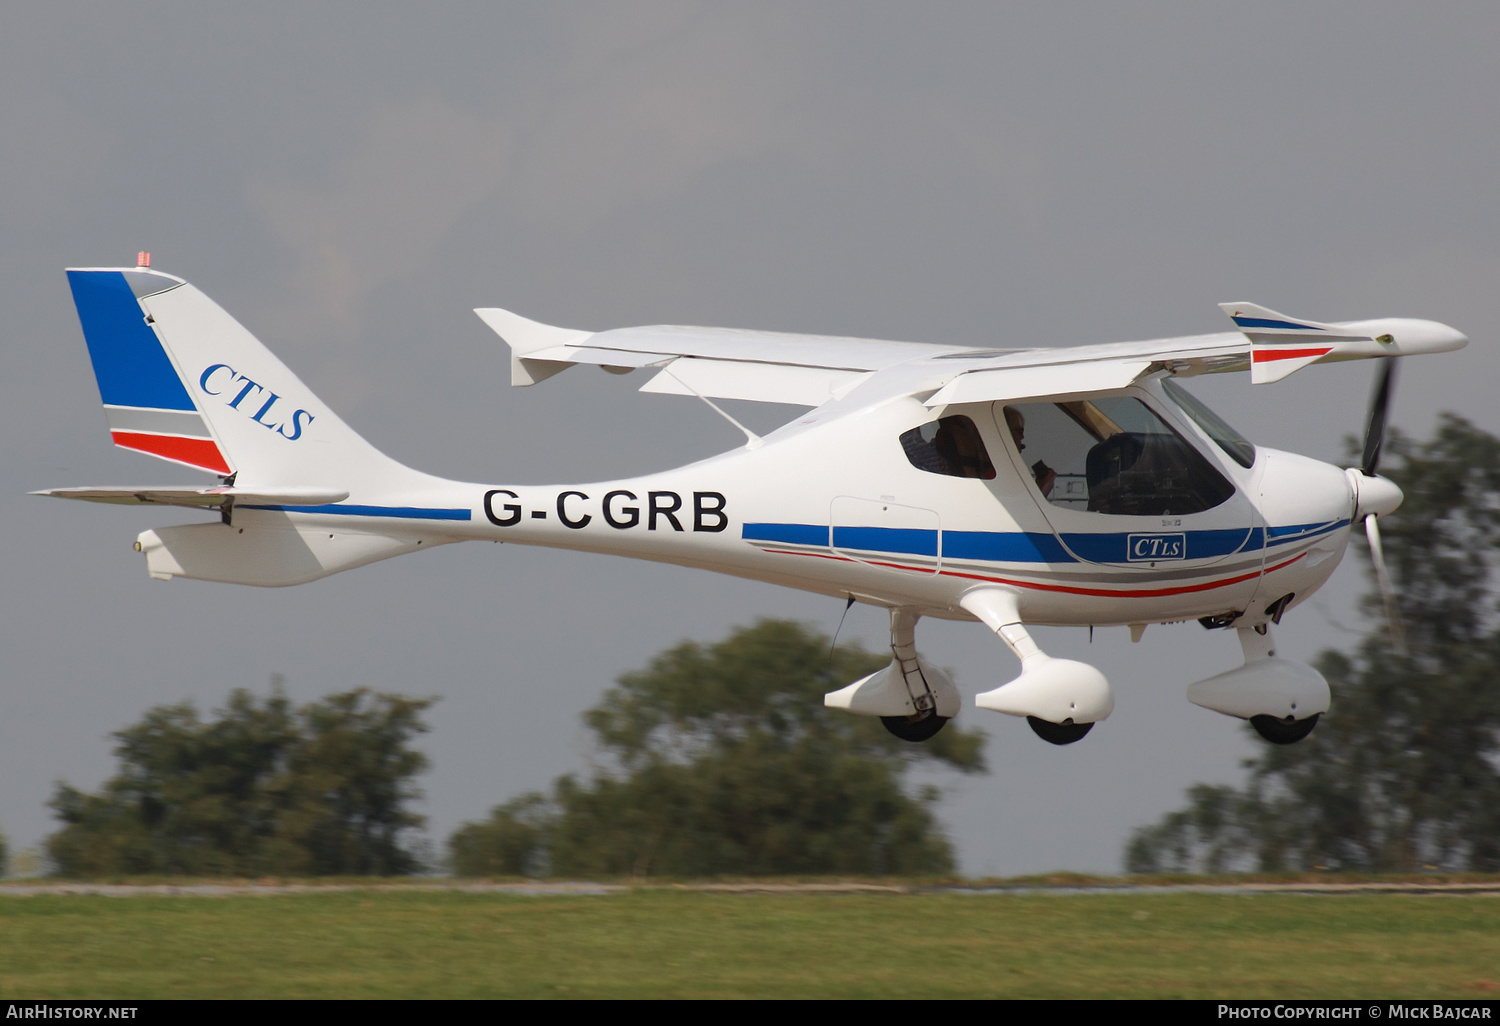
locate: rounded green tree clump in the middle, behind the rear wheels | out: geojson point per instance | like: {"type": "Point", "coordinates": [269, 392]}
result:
{"type": "Point", "coordinates": [721, 760]}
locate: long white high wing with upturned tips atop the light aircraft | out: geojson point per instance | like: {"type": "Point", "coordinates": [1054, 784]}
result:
{"type": "Point", "coordinates": [811, 370]}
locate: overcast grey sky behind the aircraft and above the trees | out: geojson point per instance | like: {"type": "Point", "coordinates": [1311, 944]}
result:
{"type": "Point", "coordinates": [352, 179]}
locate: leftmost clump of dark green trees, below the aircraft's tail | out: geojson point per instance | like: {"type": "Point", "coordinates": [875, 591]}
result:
{"type": "Point", "coordinates": [263, 788]}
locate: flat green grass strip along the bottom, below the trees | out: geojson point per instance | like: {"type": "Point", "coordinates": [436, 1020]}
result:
{"type": "Point", "coordinates": [694, 944]}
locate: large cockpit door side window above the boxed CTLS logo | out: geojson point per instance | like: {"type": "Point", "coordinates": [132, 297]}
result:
{"type": "Point", "coordinates": [1114, 457]}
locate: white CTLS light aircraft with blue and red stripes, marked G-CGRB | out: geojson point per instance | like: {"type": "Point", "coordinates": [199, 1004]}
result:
{"type": "Point", "coordinates": [1016, 487]}
